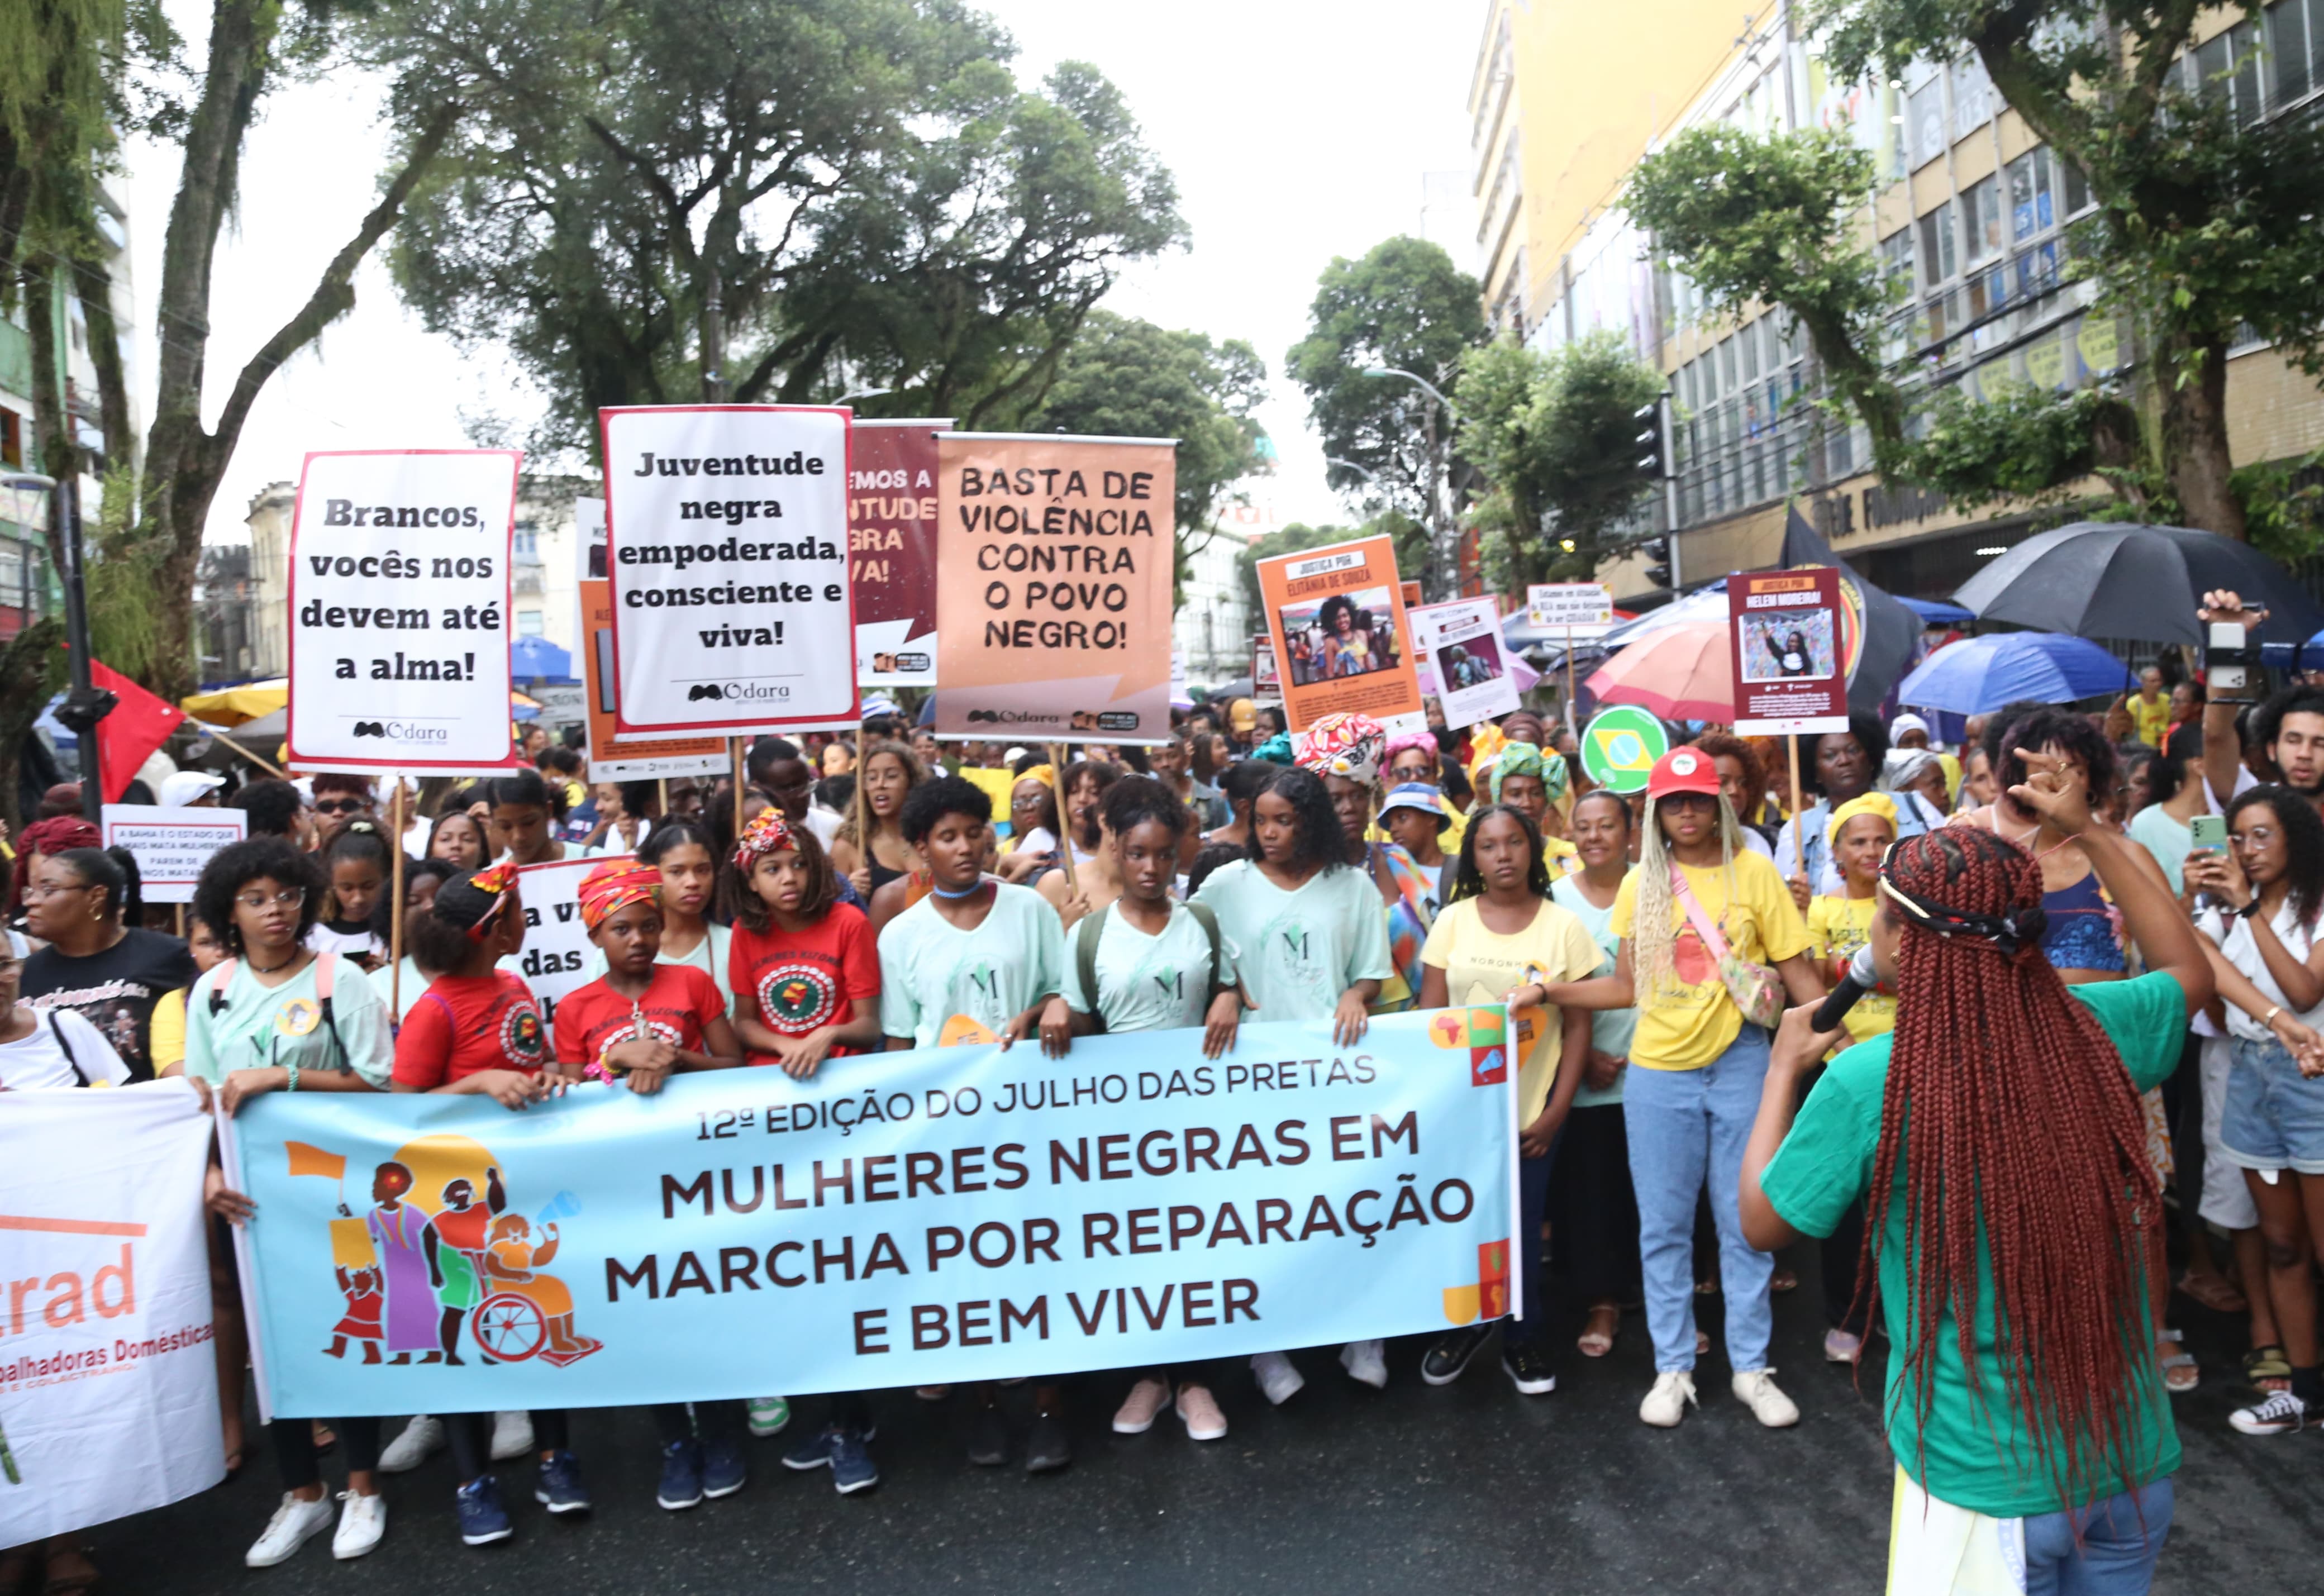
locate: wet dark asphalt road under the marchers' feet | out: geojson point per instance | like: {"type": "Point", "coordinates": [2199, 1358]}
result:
{"type": "Point", "coordinates": [1344, 1490]}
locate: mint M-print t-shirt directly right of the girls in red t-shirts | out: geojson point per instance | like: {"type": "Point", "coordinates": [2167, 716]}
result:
{"type": "Point", "coordinates": [931, 970]}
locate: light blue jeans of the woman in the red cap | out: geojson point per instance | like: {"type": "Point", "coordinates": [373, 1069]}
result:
{"type": "Point", "coordinates": [1688, 1126]}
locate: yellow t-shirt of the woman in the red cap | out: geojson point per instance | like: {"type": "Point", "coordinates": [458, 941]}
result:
{"type": "Point", "coordinates": [1691, 1021]}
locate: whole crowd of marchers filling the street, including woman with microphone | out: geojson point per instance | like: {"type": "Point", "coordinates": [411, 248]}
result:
{"type": "Point", "coordinates": [2090, 972]}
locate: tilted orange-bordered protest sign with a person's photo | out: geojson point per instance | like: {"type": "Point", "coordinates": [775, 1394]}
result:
{"type": "Point", "coordinates": [1340, 628]}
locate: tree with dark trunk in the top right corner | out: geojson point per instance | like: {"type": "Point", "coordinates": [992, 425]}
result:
{"type": "Point", "coordinates": [2204, 220]}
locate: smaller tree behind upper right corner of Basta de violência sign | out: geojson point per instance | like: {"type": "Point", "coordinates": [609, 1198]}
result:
{"type": "Point", "coordinates": [1135, 380]}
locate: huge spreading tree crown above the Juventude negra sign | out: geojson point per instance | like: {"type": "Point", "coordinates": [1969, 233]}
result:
{"type": "Point", "coordinates": [773, 203]}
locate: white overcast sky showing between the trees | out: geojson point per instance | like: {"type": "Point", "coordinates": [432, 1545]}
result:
{"type": "Point", "coordinates": [1298, 131]}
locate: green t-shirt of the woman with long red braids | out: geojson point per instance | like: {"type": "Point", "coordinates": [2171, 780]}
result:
{"type": "Point", "coordinates": [1979, 1451]}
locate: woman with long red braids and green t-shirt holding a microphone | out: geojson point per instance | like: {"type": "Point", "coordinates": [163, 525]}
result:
{"type": "Point", "coordinates": [2000, 1149]}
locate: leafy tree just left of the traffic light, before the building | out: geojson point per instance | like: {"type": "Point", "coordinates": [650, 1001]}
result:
{"type": "Point", "coordinates": [1558, 440]}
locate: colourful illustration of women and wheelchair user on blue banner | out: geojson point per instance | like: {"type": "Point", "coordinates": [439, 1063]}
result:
{"type": "Point", "coordinates": [445, 1265]}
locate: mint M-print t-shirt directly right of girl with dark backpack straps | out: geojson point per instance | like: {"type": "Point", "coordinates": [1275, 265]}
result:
{"type": "Point", "coordinates": [1298, 951]}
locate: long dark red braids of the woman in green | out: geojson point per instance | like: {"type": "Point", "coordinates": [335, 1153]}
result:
{"type": "Point", "coordinates": [2023, 1123]}
